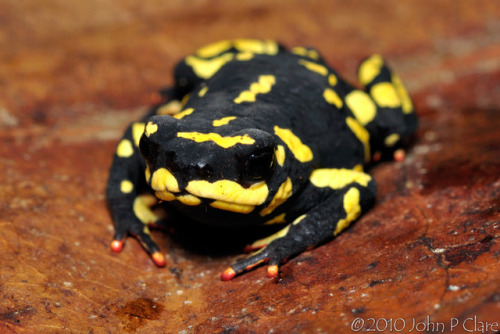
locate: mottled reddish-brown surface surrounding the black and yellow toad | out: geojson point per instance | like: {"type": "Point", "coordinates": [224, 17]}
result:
{"type": "Point", "coordinates": [73, 74]}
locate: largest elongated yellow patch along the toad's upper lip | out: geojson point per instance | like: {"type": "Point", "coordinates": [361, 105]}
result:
{"type": "Point", "coordinates": [229, 191]}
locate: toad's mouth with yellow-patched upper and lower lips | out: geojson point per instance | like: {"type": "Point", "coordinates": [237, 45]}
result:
{"type": "Point", "coordinates": [226, 194]}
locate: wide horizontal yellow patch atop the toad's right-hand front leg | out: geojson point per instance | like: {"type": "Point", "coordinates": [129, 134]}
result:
{"type": "Point", "coordinates": [337, 178]}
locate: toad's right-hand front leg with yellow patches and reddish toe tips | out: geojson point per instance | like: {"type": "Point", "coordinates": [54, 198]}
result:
{"type": "Point", "coordinates": [346, 194]}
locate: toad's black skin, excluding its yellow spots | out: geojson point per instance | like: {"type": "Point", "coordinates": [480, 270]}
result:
{"type": "Point", "coordinates": [295, 102]}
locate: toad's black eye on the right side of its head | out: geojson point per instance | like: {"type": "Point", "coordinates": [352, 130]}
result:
{"type": "Point", "coordinates": [258, 165]}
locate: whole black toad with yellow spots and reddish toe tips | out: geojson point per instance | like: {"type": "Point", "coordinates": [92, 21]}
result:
{"type": "Point", "coordinates": [254, 134]}
